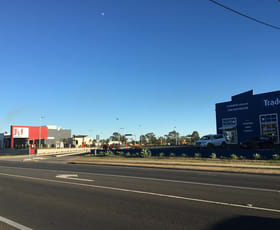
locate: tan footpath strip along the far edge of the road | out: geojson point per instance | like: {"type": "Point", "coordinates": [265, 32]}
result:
{"type": "Point", "coordinates": [230, 166]}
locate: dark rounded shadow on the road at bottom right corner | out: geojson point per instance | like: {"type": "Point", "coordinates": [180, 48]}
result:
{"type": "Point", "coordinates": [248, 223]}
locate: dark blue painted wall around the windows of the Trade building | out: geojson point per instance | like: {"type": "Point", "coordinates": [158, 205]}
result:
{"type": "Point", "coordinates": [247, 108]}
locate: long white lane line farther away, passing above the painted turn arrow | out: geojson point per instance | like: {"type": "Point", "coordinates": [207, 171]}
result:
{"type": "Point", "coordinates": [156, 179]}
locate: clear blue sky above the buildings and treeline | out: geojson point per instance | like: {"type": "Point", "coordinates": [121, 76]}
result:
{"type": "Point", "coordinates": [154, 64]}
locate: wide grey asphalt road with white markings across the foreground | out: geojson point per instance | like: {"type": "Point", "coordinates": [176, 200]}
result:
{"type": "Point", "coordinates": [35, 195]}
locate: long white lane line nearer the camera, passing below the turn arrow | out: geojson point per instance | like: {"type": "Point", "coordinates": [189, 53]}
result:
{"type": "Point", "coordinates": [146, 193]}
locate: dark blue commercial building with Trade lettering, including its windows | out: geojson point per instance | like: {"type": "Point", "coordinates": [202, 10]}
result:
{"type": "Point", "coordinates": [249, 115]}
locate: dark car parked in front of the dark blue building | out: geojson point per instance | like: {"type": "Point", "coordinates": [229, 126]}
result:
{"type": "Point", "coordinates": [258, 142]}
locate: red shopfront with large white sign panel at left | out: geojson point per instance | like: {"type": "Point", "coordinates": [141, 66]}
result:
{"type": "Point", "coordinates": [22, 136]}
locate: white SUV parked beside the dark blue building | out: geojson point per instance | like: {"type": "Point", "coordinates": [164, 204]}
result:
{"type": "Point", "coordinates": [210, 141]}
